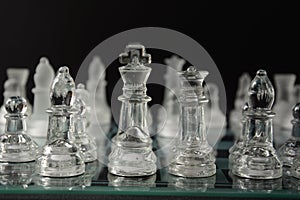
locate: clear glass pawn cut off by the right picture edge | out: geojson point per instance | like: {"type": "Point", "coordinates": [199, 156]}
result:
{"type": "Point", "coordinates": [291, 148]}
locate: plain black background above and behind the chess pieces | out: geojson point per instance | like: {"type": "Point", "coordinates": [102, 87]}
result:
{"type": "Point", "coordinates": [239, 35]}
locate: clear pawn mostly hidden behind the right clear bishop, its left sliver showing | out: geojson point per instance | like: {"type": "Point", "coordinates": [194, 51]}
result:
{"type": "Point", "coordinates": [239, 143]}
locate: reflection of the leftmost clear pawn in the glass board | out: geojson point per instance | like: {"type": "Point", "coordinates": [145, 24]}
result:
{"type": "Point", "coordinates": [16, 173]}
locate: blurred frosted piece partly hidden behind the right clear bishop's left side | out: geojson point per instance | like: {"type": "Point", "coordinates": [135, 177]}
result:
{"type": "Point", "coordinates": [235, 115]}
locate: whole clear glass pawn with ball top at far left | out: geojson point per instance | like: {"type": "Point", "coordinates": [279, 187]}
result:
{"type": "Point", "coordinates": [15, 144]}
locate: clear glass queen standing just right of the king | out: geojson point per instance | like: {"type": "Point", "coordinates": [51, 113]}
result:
{"type": "Point", "coordinates": [194, 157]}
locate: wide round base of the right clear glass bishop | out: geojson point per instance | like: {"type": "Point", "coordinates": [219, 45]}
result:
{"type": "Point", "coordinates": [258, 163]}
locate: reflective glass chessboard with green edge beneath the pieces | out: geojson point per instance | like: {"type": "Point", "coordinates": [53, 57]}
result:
{"type": "Point", "coordinates": [98, 182]}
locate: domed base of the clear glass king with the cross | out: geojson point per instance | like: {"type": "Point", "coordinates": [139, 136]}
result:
{"type": "Point", "coordinates": [132, 154]}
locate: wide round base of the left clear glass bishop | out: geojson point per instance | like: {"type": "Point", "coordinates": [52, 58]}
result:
{"type": "Point", "coordinates": [60, 159]}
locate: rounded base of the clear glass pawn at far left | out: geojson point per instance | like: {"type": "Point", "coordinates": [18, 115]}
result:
{"type": "Point", "coordinates": [17, 147]}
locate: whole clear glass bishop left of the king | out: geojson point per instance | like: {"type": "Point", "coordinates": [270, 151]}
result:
{"type": "Point", "coordinates": [60, 157]}
